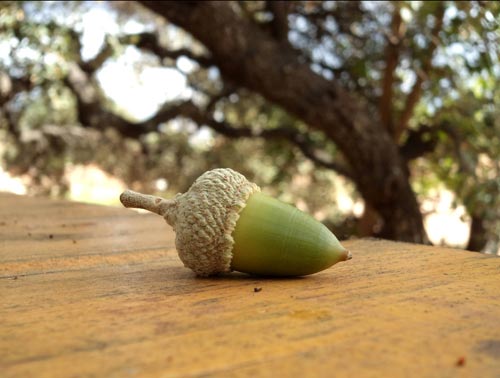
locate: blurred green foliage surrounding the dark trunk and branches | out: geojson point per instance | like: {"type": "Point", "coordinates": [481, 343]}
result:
{"type": "Point", "coordinates": [343, 41]}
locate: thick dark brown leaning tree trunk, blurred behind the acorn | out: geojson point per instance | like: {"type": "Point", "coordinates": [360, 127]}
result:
{"type": "Point", "coordinates": [248, 56]}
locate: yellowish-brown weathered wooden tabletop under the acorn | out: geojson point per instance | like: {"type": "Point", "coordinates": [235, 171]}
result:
{"type": "Point", "coordinates": [99, 291]}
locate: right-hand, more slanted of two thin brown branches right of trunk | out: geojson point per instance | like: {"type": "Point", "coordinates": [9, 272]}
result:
{"type": "Point", "coordinates": [422, 75]}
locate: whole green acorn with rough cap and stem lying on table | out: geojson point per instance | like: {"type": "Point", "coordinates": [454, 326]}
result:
{"type": "Point", "coordinates": [224, 223]}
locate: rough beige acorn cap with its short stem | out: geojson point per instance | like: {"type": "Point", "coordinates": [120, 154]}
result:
{"type": "Point", "coordinates": [203, 218]}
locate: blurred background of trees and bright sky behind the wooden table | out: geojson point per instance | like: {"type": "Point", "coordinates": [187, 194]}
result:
{"type": "Point", "coordinates": [99, 96]}
